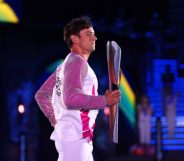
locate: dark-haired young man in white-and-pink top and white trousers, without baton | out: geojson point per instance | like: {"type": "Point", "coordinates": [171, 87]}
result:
{"type": "Point", "coordinates": [69, 97]}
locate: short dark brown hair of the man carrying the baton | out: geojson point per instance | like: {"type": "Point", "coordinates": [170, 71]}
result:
{"type": "Point", "coordinates": [74, 27]}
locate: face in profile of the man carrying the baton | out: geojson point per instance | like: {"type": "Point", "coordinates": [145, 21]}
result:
{"type": "Point", "coordinates": [87, 40]}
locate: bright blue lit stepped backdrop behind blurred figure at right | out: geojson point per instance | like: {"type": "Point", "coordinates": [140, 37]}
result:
{"type": "Point", "coordinates": [154, 92]}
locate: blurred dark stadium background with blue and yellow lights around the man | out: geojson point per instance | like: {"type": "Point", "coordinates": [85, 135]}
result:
{"type": "Point", "coordinates": [151, 37]}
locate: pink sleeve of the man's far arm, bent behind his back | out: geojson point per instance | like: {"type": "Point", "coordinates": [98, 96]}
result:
{"type": "Point", "coordinates": [44, 98]}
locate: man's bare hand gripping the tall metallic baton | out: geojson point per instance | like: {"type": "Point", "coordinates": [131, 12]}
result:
{"type": "Point", "coordinates": [112, 97]}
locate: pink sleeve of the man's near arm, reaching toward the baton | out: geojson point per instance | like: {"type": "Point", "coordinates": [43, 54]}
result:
{"type": "Point", "coordinates": [74, 75]}
